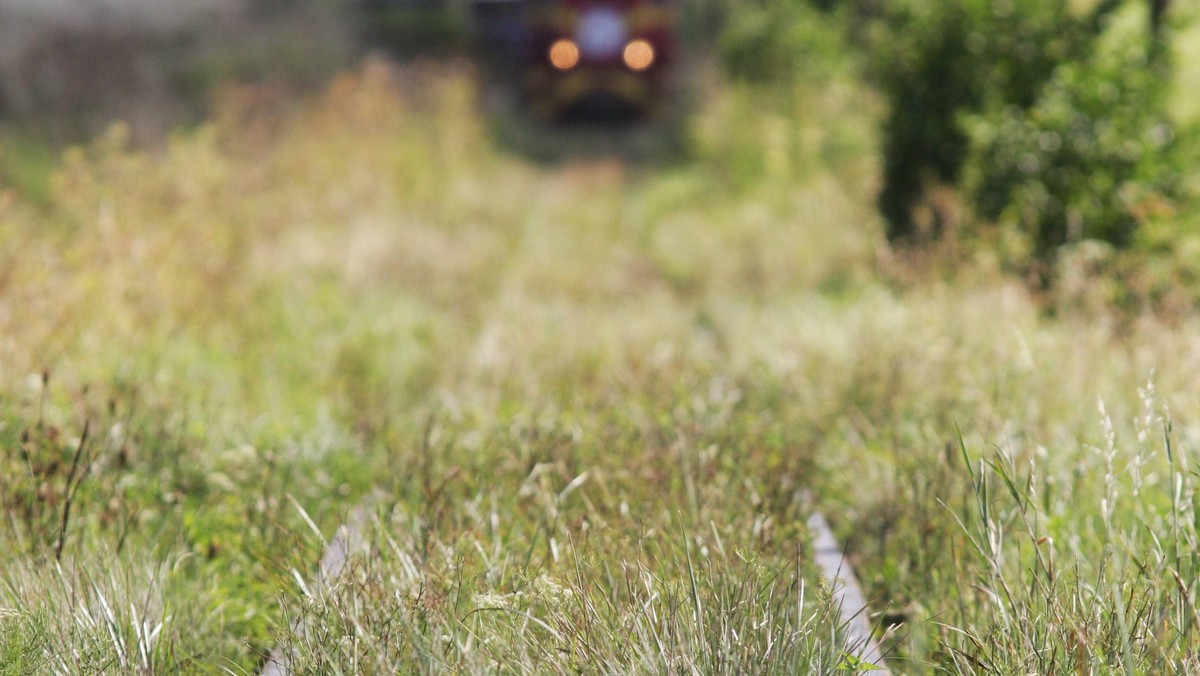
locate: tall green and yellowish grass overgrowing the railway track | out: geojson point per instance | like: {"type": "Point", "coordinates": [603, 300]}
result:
{"type": "Point", "coordinates": [584, 404]}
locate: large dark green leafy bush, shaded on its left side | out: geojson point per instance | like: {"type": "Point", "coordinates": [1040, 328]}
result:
{"type": "Point", "coordinates": [1041, 115]}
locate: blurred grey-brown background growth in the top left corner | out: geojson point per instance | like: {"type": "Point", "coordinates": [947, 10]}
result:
{"type": "Point", "coordinates": [71, 69]}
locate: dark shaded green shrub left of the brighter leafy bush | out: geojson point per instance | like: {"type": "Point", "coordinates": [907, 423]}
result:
{"type": "Point", "coordinates": [939, 61]}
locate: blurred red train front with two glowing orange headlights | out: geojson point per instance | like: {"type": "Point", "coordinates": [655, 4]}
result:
{"type": "Point", "coordinates": [599, 57]}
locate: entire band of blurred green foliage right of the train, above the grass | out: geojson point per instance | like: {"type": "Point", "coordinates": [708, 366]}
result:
{"type": "Point", "coordinates": [1028, 125]}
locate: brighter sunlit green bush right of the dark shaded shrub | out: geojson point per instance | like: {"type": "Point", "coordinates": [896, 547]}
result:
{"type": "Point", "coordinates": [1094, 158]}
